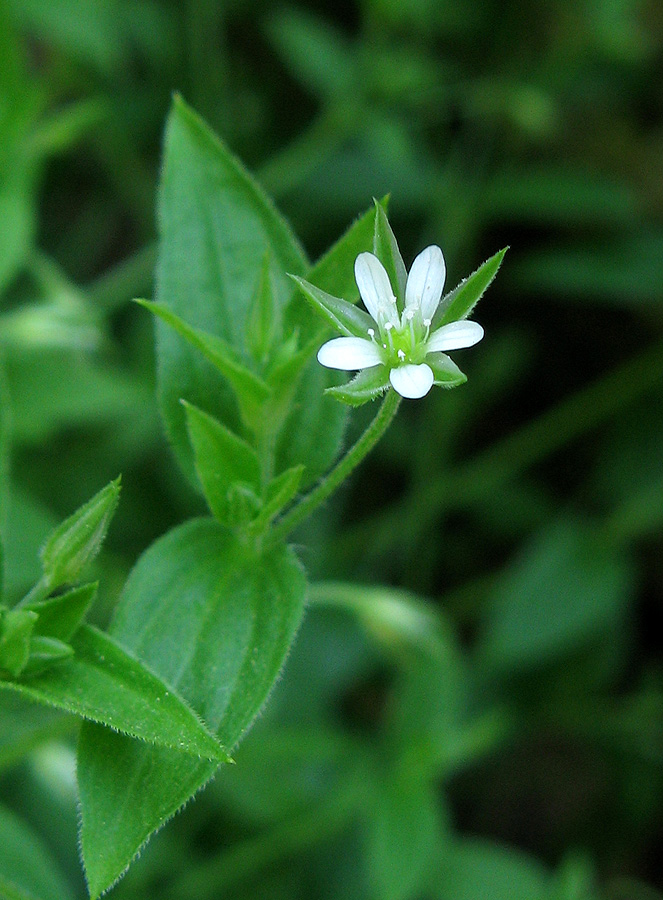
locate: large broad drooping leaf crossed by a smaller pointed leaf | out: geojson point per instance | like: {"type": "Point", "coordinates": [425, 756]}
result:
{"type": "Point", "coordinates": [214, 619]}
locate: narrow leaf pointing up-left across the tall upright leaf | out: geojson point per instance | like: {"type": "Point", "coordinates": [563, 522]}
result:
{"type": "Point", "coordinates": [250, 390]}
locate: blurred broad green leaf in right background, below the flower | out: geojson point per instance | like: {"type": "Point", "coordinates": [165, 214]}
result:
{"type": "Point", "coordinates": [562, 593]}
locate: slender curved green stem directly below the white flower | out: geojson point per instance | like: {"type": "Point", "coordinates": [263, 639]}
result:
{"type": "Point", "coordinates": [325, 488]}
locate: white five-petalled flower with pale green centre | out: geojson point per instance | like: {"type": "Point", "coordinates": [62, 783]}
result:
{"type": "Point", "coordinates": [401, 341]}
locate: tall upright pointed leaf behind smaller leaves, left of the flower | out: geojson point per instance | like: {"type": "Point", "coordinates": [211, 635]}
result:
{"type": "Point", "coordinates": [215, 227]}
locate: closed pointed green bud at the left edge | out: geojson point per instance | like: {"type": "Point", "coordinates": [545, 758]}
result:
{"type": "Point", "coordinates": [78, 539]}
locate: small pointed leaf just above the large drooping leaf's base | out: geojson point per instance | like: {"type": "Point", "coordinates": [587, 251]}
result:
{"type": "Point", "coordinates": [222, 460]}
